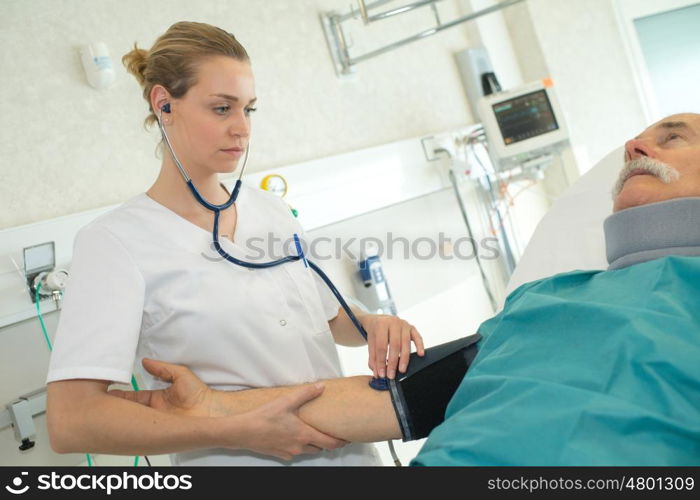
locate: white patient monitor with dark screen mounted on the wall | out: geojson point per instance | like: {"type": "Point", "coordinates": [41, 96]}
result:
{"type": "Point", "coordinates": [522, 120]}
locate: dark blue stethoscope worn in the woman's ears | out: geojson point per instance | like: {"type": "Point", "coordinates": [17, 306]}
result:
{"type": "Point", "coordinates": [381, 384]}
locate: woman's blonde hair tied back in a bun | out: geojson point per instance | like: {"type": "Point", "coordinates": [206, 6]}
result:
{"type": "Point", "coordinates": [172, 61]}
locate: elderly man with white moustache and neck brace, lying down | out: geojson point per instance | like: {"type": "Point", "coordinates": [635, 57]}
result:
{"type": "Point", "coordinates": [583, 368]}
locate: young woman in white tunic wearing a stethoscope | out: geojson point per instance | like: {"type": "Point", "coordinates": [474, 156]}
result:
{"type": "Point", "coordinates": [145, 282]}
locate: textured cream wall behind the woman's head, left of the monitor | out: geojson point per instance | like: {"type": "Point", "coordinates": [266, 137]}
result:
{"type": "Point", "coordinates": [67, 147]}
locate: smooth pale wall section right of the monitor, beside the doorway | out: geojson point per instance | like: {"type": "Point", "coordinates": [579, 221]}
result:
{"type": "Point", "coordinates": [579, 44]}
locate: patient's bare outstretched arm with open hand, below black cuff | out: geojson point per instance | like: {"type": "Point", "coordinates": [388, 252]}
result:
{"type": "Point", "coordinates": [348, 409]}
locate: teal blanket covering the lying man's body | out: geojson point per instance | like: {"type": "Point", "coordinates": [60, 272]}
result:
{"type": "Point", "coordinates": [584, 368]}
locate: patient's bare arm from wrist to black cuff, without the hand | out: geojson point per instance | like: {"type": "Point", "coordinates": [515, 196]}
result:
{"type": "Point", "coordinates": [348, 408]}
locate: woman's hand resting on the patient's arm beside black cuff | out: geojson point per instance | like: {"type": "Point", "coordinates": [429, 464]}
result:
{"type": "Point", "coordinates": [389, 339]}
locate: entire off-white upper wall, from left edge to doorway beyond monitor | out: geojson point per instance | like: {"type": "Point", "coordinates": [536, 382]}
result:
{"type": "Point", "coordinates": [67, 148]}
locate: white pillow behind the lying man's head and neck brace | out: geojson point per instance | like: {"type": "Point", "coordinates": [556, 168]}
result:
{"type": "Point", "coordinates": [570, 236]}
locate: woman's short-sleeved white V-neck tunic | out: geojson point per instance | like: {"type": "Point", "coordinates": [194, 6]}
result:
{"type": "Point", "coordinates": [146, 282]}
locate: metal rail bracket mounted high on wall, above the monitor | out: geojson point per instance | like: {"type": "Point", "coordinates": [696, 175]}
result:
{"type": "Point", "coordinates": [337, 37]}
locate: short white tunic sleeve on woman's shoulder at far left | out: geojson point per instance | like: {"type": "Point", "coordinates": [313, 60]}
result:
{"type": "Point", "coordinates": [100, 321]}
